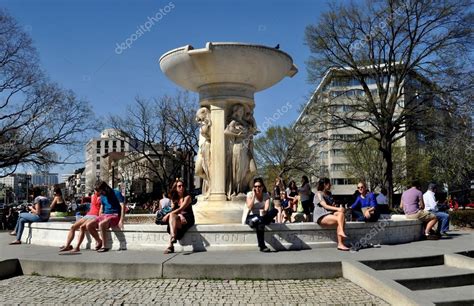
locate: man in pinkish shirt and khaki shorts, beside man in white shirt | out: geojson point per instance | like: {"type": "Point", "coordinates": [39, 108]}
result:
{"type": "Point", "coordinates": [413, 205]}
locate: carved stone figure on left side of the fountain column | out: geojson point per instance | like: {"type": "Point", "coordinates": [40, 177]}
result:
{"type": "Point", "coordinates": [203, 161]}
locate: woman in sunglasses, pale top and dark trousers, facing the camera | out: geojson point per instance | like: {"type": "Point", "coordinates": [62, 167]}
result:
{"type": "Point", "coordinates": [260, 214]}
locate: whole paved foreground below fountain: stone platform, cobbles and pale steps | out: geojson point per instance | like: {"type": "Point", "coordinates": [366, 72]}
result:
{"type": "Point", "coordinates": [392, 273]}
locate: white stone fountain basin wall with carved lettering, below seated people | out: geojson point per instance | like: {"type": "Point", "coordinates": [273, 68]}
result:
{"type": "Point", "coordinates": [295, 236]}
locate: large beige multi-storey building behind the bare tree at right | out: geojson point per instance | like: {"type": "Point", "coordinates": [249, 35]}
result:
{"type": "Point", "coordinates": [342, 93]}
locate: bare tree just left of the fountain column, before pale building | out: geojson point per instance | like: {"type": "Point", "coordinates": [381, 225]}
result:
{"type": "Point", "coordinates": [162, 135]}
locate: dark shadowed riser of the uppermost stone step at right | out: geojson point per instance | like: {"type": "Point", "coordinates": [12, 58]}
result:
{"type": "Point", "coordinates": [404, 263]}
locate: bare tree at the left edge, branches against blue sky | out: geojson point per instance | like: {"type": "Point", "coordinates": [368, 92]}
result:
{"type": "Point", "coordinates": [38, 118]}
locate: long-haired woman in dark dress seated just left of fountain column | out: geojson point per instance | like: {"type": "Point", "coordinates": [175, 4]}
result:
{"type": "Point", "coordinates": [181, 217]}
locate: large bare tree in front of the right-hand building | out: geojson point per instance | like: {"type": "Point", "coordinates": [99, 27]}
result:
{"type": "Point", "coordinates": [399, 45]}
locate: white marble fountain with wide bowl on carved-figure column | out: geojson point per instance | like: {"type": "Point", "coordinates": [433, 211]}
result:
{"type": "Point", "coordinates": [226, 76]}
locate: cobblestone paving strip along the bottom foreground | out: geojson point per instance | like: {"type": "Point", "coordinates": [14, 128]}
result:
{"type": "Point", "coordinates": [50, 290]}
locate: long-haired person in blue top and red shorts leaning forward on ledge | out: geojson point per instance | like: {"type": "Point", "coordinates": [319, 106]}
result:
{"type": "Point", "coordinates": [113, 213]}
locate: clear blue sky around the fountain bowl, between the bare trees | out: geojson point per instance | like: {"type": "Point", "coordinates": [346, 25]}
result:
{"type": "Point", "coordinates": [76, 41]}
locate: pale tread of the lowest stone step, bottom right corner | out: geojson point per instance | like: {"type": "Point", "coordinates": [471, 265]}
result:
{"type": "Point", "coordinates": [460, 295]}
